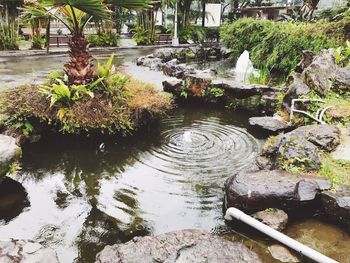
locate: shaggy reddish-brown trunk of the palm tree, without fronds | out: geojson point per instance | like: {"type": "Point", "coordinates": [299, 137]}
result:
{"type": "Point", "coordinates": [80, 69]}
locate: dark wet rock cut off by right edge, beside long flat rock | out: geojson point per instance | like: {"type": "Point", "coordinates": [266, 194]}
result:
{"type": "Point", "coordinates": [336, 205]}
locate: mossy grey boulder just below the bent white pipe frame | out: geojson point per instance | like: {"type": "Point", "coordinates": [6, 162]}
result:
{"type": "Point", "coordinates": [299, 148]}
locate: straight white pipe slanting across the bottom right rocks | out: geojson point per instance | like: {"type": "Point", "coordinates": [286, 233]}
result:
{"type": "Point", "coordinates": [293, 244]}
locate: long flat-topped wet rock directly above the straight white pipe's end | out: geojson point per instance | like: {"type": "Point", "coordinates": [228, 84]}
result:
{"type": "Point", "coordinates": [255, 191]}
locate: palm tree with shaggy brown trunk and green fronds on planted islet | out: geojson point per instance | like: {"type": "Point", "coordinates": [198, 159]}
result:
{"type": "Point", "coordinates": [75, 14]}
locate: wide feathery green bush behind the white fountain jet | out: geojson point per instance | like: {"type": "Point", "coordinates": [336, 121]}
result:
{"type": "Point", "coordinates": [278, 45]}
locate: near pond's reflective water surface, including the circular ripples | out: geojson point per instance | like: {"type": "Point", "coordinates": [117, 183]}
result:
{"type": "Point", "coordinates": [84, 196]}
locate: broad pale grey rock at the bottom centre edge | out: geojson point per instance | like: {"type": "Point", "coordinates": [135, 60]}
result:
{"type": "Point", "coordinates": [178, 246]}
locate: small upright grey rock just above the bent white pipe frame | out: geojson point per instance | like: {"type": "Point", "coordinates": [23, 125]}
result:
{"type": "Point", "coordinates": [296, 89]}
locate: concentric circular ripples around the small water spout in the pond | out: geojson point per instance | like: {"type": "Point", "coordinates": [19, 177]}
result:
{"type": "Point", "coordinates": [205, 147]}
